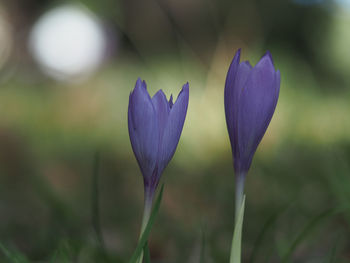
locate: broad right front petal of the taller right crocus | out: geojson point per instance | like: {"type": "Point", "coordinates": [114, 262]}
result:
{"type": "Point", "coordinates": [256, 106]}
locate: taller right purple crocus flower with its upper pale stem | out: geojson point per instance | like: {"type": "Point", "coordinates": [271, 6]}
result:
{"type": "Point", "coordinates": [251, 95]}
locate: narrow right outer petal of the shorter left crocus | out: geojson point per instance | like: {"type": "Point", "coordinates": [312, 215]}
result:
{"type": "Point", "coordinates": [173, 128]}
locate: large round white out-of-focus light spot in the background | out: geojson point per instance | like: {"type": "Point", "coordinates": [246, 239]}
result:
{"type": "Point", "coordinates": [68, 42]}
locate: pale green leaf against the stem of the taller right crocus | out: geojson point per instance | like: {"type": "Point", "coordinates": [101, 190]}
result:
{"type": "Point", "coordinates": [235, 256]}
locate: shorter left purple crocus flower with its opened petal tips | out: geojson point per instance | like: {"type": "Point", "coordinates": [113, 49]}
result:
{"type": "Point", "coordinates": [155, 125]}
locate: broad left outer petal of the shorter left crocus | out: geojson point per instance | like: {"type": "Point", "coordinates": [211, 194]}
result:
{"type": "Point", "coordinates": [143, 128]}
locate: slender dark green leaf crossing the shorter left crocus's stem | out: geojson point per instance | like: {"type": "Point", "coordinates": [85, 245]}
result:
{"type": "Point", "coordinates": [146, 232]}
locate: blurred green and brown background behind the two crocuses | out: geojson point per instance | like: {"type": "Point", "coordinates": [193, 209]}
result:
{"type": "Point", "coordinates": [55, 117]}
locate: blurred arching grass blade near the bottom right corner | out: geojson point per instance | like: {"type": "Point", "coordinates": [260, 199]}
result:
{"type": "Point", "coordinates": [305, 233]}
